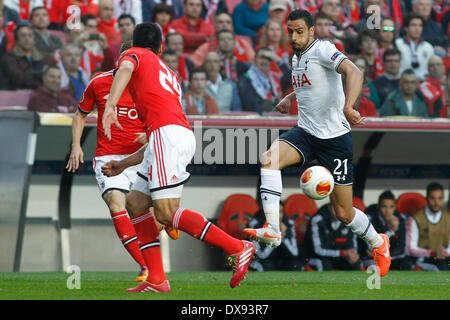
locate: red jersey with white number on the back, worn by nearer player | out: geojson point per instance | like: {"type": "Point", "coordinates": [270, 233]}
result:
{"type": "Point", "coordinates": [155, 90]}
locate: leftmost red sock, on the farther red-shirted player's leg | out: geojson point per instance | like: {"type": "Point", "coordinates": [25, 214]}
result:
{"type": "Point", "coordinates": [127, 235]}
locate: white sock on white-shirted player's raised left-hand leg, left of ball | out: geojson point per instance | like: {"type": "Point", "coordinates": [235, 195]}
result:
{"type": "Point", "coordinates": [271, 187]}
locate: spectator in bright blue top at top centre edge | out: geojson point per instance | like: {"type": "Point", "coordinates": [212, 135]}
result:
{"type": "Point", "coordinates": [249, 16]}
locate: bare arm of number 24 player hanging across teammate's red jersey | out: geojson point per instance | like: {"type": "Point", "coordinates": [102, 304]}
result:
{"type": "Point", "coordinates": [120, 82]}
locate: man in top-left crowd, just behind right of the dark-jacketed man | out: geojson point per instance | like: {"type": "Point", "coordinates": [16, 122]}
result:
{"type": "Point", "coordinates": [45, 42]}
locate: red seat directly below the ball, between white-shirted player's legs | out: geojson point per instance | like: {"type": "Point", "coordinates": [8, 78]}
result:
{"type": "Point", "coordinates": [300, 208]}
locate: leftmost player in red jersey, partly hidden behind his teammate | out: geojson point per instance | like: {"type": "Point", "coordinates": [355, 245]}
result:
{"type": "Point", "coordinates": [122, 144]}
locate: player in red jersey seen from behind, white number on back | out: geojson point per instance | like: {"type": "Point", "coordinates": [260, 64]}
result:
{"type": "Point", "coordinates": [157, 94]}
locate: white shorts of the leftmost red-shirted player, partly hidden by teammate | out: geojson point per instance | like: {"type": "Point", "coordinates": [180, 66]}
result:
{"type": "Point", "coordinates": [121, 182]}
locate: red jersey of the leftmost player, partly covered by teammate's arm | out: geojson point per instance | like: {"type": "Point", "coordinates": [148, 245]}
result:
{"type": "Point", "coordinates": [96, 94]}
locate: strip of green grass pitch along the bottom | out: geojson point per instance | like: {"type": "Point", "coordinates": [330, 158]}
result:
{"type": "Point", "coordinates": [343, 285]}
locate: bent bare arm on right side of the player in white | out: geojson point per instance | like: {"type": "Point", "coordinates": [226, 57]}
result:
{"type": "Point", "coordinates": [353, 86]}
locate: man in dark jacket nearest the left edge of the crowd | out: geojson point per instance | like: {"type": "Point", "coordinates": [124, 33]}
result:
{"type": "Point", "coordinates": [24, 64]}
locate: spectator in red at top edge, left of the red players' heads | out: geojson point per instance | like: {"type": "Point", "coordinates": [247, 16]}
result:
{"type": "Point", "coordinates": [107, 24]}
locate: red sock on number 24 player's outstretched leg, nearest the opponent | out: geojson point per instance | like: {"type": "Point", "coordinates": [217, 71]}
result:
{"type": "Point", "coordinates": [199, 227]}
